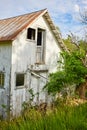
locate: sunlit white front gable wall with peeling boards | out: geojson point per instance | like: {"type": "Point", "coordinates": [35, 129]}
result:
{"type": "Point", "coordinates": [24, 59]}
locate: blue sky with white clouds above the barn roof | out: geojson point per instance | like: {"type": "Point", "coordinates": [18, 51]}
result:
{"type": "Point", "coordinates": [64, 13]}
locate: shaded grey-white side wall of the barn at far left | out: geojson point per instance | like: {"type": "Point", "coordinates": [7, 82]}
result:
{"type": "Point", "coordinates": [5, 66]}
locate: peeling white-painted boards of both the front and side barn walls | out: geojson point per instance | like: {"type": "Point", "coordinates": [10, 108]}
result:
{"type": "Point", "coordinates": [22, 57]}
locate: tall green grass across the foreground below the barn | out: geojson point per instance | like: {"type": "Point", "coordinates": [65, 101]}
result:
{"type": "Point", "coordinates": [61, 118]}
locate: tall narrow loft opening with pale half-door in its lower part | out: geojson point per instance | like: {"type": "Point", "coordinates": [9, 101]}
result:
{"type": "Point", "coordinates": [40, 45]}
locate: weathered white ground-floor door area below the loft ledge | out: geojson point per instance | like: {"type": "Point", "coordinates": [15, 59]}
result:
{"type": "Point", "coordinates": [37, 84]}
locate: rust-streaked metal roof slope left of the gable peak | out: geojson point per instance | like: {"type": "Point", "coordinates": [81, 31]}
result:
{"type": "Point", "coordinates": [11, 27]}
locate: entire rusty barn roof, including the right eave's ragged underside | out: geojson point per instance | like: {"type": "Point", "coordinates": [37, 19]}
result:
{"type": "Point", "coordinates": [11, 27]}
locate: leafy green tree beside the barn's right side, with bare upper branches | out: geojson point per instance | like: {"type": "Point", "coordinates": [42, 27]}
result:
{"type": "Point", "coordinates": [74, 65]}
